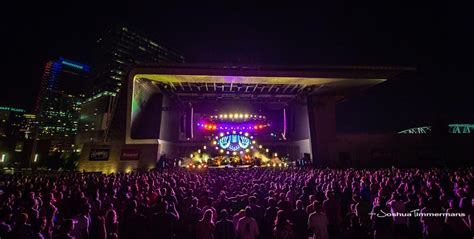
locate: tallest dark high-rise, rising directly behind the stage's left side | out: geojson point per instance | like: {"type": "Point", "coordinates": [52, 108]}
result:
{"type": "Point", "coordinates": [116, 52]}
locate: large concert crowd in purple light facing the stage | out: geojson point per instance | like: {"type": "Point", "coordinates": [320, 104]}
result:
{"type": "Point", "coordinates": [253, 203]}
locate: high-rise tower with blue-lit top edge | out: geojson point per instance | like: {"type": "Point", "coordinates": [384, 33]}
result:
{"type": "Point", "coordinates": [57, 106]}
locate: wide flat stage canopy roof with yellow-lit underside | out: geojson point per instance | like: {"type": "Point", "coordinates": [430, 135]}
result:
{"type": "Point", "coordinates": [198, 82]}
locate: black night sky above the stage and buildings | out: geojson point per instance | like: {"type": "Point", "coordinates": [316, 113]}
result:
{"type": "Point", "coordinates": [435, 38]}
